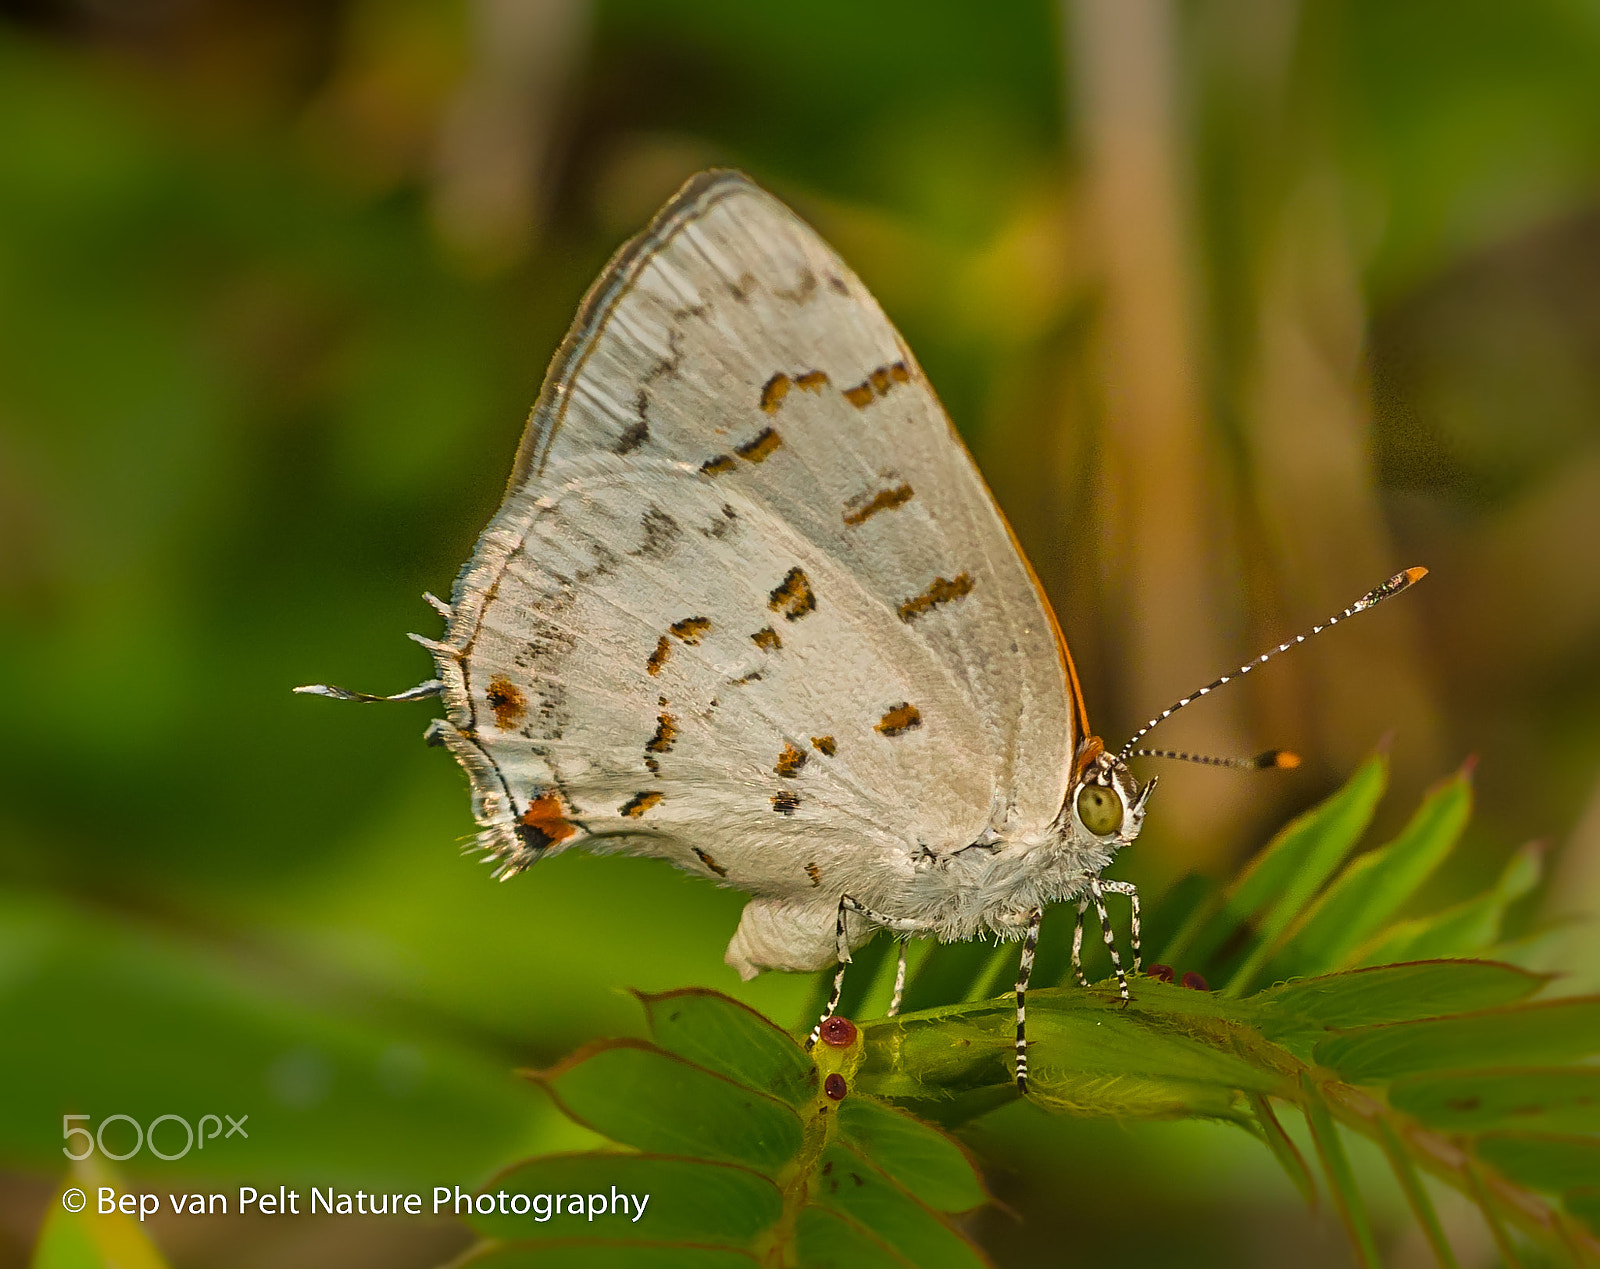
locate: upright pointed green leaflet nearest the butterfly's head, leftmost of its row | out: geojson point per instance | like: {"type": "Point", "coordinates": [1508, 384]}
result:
{"type": "Point", "coordinates": [1287, 871]}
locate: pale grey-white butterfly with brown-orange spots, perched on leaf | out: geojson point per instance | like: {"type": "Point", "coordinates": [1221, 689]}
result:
{"type": "Point", "coordinates": [750, 607]}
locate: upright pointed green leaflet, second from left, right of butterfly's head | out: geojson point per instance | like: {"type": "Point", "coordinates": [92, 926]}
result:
{"type": "Point", "coordinates": [1374, 887]}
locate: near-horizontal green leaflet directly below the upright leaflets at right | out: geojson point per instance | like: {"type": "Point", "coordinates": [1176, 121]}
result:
{"type": "Point", "coordinates": [1300, 1014]}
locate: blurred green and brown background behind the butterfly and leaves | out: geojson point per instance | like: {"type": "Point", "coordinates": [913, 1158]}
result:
{"type": "Point", "coordinates": [1242, 306]}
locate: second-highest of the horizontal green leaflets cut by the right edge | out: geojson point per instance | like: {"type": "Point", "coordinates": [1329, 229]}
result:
{"type": "Point", "coordinates": [1534, 1099]}
